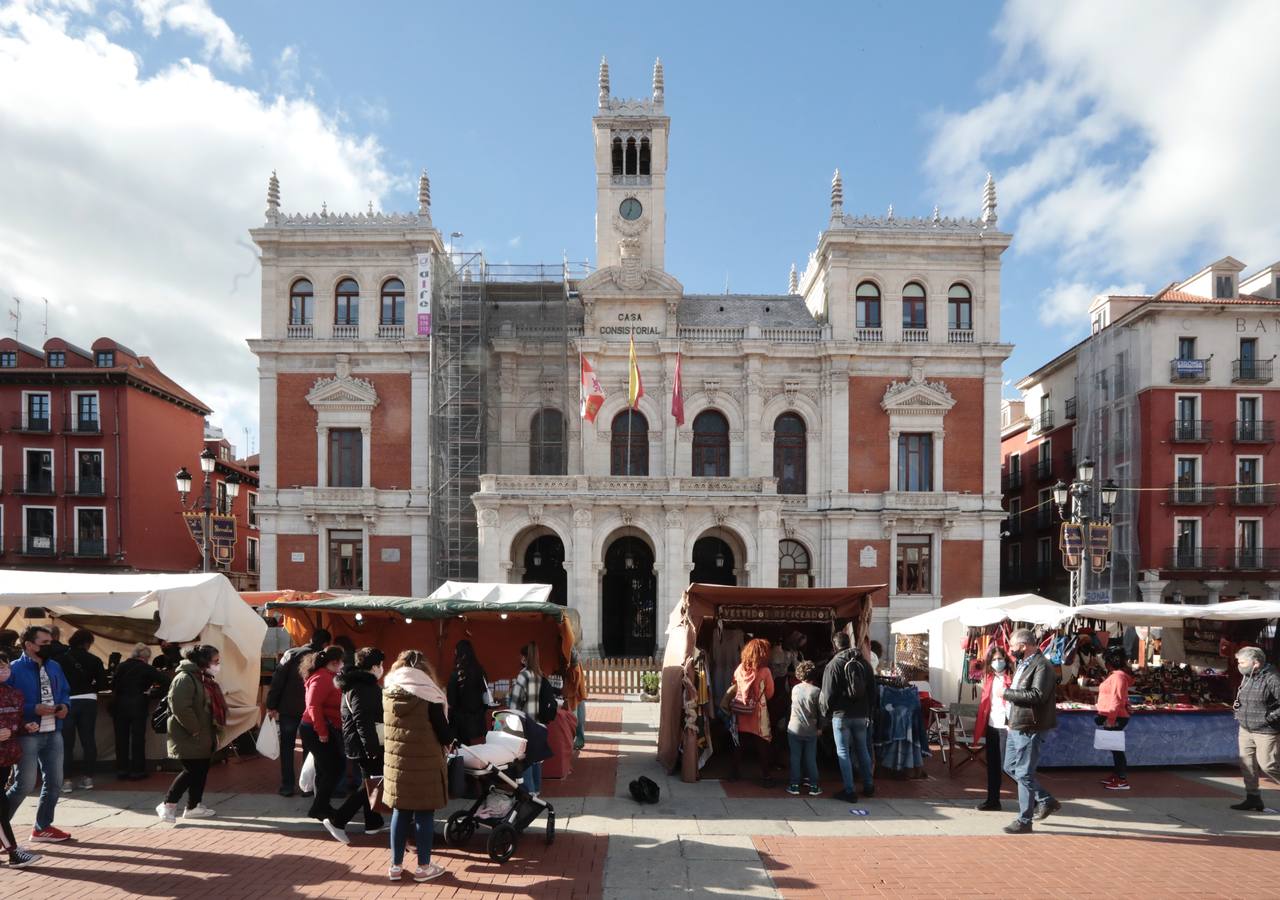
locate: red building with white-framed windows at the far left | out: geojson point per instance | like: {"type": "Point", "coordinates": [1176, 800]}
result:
{"type": "Point", "coordinates": [90, 441]}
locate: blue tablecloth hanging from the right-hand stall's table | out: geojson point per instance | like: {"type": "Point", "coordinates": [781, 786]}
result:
{"type": "Point", "coordinates": [1151, 739]}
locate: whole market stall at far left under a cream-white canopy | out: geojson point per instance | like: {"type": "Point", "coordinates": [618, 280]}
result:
{"type": "Point", "coordinates": [125, 610]}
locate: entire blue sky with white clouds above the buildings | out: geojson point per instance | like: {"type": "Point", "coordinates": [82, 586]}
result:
{"type": "Point", "coordinates": [143, 133]}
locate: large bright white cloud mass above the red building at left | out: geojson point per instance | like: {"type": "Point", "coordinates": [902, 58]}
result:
{"type": "Point", "coordinates": [127, 200]}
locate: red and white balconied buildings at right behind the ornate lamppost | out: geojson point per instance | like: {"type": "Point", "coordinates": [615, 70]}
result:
{"type": "Point", "coordinates": [1173, 396]}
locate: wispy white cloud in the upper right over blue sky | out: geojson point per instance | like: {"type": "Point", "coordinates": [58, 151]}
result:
{"type": "Point", "coordinates": [1130, 140]}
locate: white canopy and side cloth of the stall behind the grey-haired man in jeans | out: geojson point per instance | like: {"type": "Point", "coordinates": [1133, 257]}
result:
{"type": "Point", "coordinates": [947, 625]}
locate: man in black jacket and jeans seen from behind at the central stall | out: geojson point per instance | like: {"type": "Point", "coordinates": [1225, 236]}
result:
{"type": "Point", "coordinates": [848, 686]}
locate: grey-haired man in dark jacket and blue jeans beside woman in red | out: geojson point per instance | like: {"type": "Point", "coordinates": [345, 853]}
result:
{"type": "Point", "coordinates": [1032, 711]}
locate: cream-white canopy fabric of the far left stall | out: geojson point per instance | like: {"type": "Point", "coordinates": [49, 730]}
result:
{"type": "Point", "coordinates": [186, 607]}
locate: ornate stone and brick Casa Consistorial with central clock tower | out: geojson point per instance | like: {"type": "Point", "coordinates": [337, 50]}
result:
{"type": "Point", "coordinates": [423, 410]}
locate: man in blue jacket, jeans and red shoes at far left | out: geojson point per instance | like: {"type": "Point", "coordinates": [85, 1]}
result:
{"type": "Point", "coordinates": [47, 701]}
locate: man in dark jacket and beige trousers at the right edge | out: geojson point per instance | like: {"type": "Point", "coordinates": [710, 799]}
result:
{"type": "Point", "coordinates": [1258, 712]}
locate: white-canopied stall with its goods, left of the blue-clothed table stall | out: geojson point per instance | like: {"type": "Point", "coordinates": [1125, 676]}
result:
{"type": "Point", "coordinates": [931, 647]}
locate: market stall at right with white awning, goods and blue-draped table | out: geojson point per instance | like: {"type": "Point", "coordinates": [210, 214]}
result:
{"type": "Point", "coordinates": [1182, 693]}
